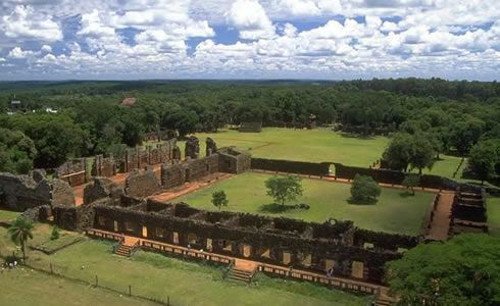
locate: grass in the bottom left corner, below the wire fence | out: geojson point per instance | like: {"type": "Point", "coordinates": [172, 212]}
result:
{"type": "Point", "coordinates": [27, 287]}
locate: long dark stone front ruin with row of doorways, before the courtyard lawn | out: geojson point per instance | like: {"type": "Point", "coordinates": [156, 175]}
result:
{"type": "Point", "coordinates": [337, 246]}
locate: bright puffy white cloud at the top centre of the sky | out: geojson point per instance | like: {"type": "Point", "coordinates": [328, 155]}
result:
{"type": "Point", "coordinates": [250, 18]}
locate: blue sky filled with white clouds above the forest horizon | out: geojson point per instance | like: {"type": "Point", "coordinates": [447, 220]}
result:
{"type": "Point", "coordinates": [249, 39]}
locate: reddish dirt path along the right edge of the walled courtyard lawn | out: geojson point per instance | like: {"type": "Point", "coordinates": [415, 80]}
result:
{"type": "Point", "coordinates": [440, 225]}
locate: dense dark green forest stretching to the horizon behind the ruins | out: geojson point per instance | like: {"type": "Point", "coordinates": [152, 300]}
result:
{"type": "Point", "coordinates": [425, 117]}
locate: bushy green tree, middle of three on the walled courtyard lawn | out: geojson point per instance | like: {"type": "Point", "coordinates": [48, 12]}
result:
{"type": "Point", "coordinates": [284, 188]}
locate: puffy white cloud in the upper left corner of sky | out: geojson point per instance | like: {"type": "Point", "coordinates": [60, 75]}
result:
{"type": "Point", "coordinates": [25, 23]}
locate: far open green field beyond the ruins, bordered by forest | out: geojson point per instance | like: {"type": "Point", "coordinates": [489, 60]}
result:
{"type": "Point", "coordinates": [318, 145]}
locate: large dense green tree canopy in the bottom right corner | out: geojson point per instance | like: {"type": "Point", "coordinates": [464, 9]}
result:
{"type": "Point", "coordinates": [462, 271]}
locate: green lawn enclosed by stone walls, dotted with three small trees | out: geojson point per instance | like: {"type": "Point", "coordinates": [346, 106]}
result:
{"type": "Point", "coordinates": [394, 212]}
